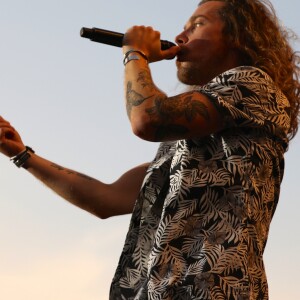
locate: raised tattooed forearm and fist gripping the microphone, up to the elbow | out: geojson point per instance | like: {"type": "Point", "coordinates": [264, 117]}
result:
{"type": "Point", "coordinates": [141, 45]}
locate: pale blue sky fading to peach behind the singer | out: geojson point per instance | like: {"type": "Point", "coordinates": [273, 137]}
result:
{"type": "Point", "coordinates": [64, 94]}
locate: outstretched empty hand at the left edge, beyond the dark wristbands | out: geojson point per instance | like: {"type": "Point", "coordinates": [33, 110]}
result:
{"type": "Point", "coordinates": [10, 141]}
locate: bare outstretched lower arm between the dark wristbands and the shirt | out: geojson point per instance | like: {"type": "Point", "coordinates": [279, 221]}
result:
{"type": "Point", "coordinates": [101, 199]}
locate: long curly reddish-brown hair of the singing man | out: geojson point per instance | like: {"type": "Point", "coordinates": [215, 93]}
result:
{"type": "Point", "coordinates": [254, 29]}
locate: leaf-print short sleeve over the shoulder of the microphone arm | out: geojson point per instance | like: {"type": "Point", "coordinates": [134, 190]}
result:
{"type": "Point", "coordinates": [248, 97]}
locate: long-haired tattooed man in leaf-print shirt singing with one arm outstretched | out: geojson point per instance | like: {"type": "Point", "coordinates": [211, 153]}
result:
{"type": "Point", "coordinates": [201, 210]}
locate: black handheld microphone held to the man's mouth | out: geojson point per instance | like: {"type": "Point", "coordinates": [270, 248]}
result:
{"type": "Point", "coordinates": [112, 38]}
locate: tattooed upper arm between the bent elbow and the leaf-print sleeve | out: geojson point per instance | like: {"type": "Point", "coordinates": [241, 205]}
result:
{"type": "Point", "coordinates": [188, 115]}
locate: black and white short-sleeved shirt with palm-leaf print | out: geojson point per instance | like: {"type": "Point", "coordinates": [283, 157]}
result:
{"type": "Point", "coordinates": [201, 221]}
